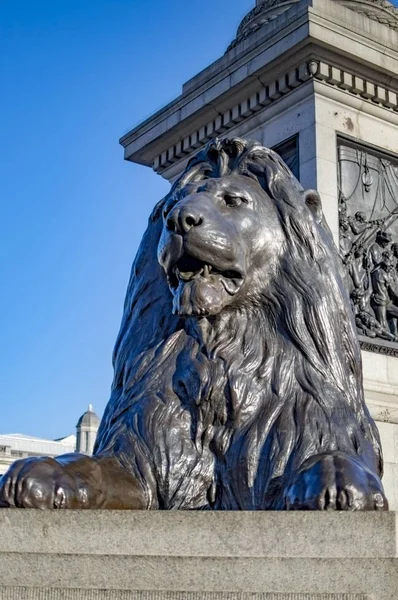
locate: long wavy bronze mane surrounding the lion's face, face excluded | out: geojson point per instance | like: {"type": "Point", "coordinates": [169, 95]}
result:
{"type": "Point", "coordinates": [293, 360]}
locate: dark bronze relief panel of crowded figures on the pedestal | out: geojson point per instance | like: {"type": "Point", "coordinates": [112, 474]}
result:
{"type": "Point", "coordinates": [368, 224]}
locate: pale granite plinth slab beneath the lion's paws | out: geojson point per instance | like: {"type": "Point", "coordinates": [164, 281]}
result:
{"type": "Point", "coordinates": [197, 555]}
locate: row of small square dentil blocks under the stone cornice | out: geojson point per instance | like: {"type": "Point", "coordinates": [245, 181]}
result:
{"type": "Point", "coordinates": [268, 94]}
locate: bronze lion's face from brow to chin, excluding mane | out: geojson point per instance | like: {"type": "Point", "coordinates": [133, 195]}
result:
{"type": "Point", "coordinates": [221, 239]}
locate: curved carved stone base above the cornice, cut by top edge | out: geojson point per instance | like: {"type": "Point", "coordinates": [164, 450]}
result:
{"type": "Point", "coordinates": [377, 10]}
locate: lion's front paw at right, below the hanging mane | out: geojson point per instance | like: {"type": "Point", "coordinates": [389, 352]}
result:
{"type": "Point", "coordinates": [335, 482]}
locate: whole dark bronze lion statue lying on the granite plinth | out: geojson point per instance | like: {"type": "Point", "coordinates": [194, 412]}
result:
{"type": "Point", "coordinates": [238, 381]}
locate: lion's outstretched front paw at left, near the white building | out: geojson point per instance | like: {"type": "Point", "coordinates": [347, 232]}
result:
{"type": "Point", "coordinates": [40, 483]}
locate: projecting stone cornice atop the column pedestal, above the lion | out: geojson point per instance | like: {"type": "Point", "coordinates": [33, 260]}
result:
{"type": "Point", "coordinates": [324, 29]}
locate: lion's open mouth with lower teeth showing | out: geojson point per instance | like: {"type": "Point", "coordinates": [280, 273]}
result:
{"type": "Point", "coordinates": [188, 268]}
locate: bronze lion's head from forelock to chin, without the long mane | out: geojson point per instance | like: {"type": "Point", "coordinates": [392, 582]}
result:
{"type": "Point", "coordinates": [222, 239]}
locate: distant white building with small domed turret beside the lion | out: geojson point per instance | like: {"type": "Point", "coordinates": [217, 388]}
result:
{"type": "Point", "coordinates": [14, 446]}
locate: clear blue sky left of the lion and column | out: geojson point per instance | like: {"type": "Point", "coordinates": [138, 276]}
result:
{"type": "Point", "coordinates": [76, 75]}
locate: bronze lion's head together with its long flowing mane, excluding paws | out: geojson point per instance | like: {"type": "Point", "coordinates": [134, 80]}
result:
{"type": "Point", "coordinates": [238, 244]}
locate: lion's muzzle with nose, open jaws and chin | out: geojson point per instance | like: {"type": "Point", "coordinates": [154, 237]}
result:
{"type": "Point", "coordinates": [198, 251]}
